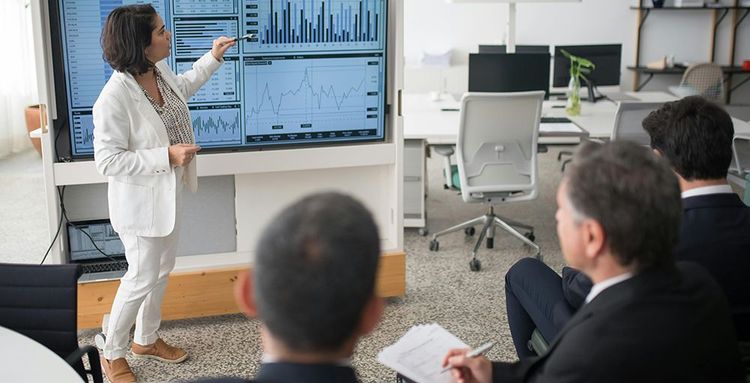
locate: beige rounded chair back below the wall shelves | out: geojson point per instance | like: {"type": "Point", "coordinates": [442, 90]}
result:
{"type": "Point", "coordinates": [705, 79]}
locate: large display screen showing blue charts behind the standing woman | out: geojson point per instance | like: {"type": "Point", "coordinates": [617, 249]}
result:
{"type": "Point", "coordinates": [314, 73]}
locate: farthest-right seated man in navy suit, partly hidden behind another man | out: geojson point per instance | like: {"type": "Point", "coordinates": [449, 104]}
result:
{"type": "Point", "coordinates": [695, 136]}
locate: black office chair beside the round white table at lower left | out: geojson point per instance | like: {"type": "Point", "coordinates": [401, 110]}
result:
{"type": "Point", "coordinates": [41, 302]}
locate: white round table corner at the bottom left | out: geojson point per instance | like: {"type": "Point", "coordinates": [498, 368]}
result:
{"type": "Point", "coordinates": [24, 360]}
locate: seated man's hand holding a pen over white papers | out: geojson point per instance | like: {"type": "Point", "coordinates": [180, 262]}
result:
{"type": "Point", "coordinates": [469, 366]}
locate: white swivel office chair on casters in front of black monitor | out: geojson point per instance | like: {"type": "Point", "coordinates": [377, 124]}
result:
{"type": "Point", "coordinates": [496, 155]}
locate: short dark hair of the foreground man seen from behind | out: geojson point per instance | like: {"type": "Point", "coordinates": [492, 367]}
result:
{"type": "Point", "coordinates": [315, 270]}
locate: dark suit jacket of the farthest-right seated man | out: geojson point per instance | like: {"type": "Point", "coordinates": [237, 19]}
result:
{"type": "Point", "coordinates": [716, 234]}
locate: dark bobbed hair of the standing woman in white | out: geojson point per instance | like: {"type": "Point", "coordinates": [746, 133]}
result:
{"type": "Point", "coordinates": [125, 36]}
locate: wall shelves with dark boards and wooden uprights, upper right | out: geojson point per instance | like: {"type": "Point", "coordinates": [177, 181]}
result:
{"type": "Point", "coordinates": [719, 14]}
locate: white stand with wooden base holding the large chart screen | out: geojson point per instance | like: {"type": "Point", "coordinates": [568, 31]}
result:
{"type": "Point", "coordinates": [249, 186]}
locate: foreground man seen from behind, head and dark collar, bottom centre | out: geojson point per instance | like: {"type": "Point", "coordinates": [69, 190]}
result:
{"type": "Point", "coordinates": [313, 288]}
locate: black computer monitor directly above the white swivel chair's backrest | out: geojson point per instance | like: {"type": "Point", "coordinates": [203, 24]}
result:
{"type": "Point", "coordinates": [509, 72]}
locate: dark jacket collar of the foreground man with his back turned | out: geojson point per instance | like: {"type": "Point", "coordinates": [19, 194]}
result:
{"type": "Point", "coordinates": [296, 373]}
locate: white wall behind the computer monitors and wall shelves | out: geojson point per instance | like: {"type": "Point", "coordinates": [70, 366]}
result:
{"type": "Point", "coordinates": [434, 25]}
